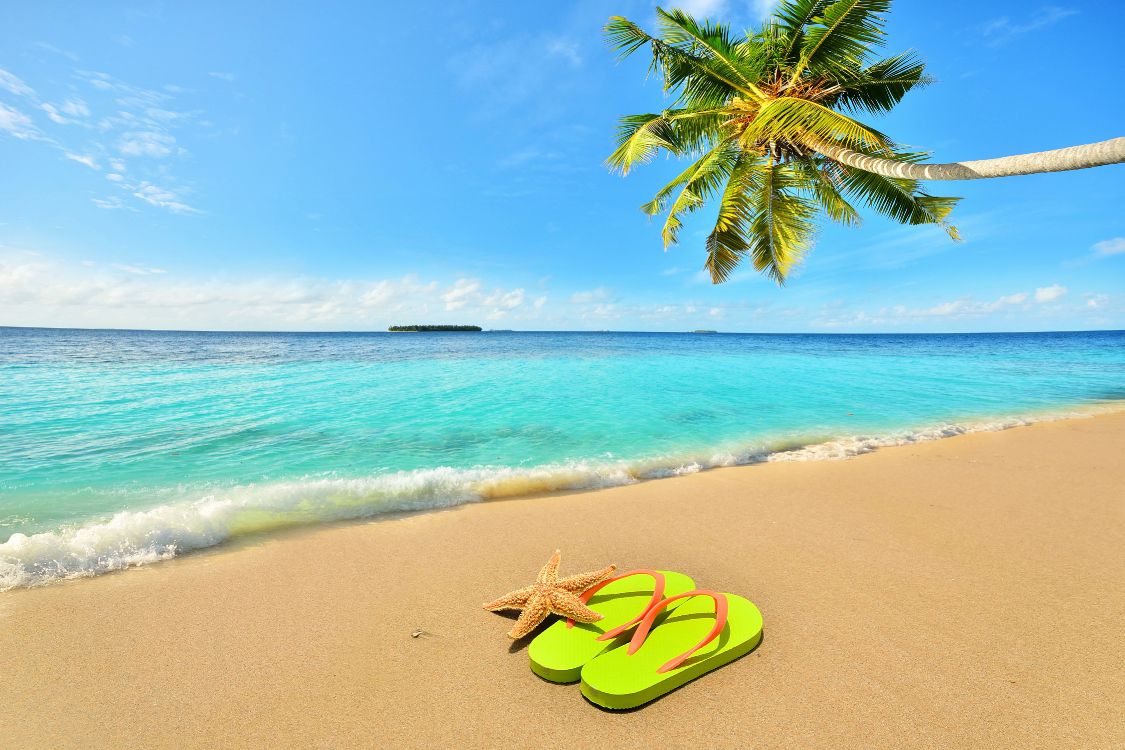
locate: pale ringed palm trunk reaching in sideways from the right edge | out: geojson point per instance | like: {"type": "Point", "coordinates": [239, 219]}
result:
{"type": "Point", "coordinates": [1060, 160]}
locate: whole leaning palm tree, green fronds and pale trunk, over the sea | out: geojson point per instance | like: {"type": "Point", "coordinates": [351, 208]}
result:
{"type": "Point", "coordinates": [768, 120]}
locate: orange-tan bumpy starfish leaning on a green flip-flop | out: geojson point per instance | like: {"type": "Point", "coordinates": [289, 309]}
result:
{"type": "Point", "coordinates": [551, 595]}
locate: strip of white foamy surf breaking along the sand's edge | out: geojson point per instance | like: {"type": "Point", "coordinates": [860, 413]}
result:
{"type": "Point", "coordinates": [136, 538]}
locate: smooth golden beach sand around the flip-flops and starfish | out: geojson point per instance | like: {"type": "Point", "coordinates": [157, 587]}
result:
{"type": "Point", "coordinates": [962, 593]}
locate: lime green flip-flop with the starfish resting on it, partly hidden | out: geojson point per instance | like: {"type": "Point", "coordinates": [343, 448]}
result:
{"type": "Point", "coordinates": [560, 653]}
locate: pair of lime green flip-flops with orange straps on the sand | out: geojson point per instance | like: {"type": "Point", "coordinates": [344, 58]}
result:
{"type": "Point", "coordinates": [679, 634]}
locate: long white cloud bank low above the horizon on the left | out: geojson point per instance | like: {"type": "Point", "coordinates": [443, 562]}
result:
{"type": "Point", "coordinates": [39, 292]}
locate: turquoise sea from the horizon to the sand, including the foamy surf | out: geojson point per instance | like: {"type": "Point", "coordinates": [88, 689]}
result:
{"type": "Point", "coordinates": [123, 448]}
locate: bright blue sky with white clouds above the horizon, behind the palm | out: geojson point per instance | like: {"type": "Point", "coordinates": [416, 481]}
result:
{"type": "Point", "coordinates": [352, 166]}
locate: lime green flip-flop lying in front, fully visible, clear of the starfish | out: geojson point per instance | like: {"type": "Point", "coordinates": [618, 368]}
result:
{"type": "Point", "coordinates": [706, 632]}
